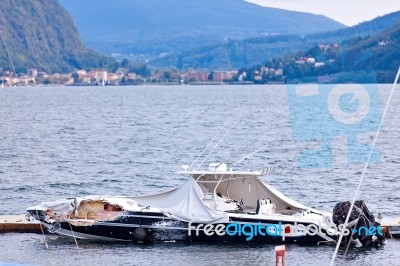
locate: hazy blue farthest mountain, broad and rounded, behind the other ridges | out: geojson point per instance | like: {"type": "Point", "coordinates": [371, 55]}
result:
{"type": "Point", "coordinates": [154, 27]}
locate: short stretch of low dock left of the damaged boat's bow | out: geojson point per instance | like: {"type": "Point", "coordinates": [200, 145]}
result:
{"type": "Point", "coordinates": [19, 224]}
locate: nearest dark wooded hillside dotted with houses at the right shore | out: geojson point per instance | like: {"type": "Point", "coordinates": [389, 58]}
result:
{"type": "Point", "coordinates": [370, 59]}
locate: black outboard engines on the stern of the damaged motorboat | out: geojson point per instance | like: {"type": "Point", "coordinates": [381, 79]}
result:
{"type": "Point", "coordinates": [362, 223]}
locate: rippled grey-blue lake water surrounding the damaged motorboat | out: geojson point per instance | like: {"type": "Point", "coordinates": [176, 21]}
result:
{"type": "Point", "coordinates": [58, 142]}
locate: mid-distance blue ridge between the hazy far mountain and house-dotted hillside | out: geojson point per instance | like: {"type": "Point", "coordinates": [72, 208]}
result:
{"type": "Point", "coordinates": [253, 51]}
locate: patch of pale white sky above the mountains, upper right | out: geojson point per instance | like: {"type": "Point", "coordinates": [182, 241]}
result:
{"type": "Point", "coordinates": [348, 12]}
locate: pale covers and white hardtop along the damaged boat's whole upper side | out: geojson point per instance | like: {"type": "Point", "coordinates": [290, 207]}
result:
{"type": "Point", "coordinates": [187, 203]}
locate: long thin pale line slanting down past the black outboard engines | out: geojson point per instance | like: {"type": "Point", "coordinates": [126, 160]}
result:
{"type": "Point", "coordinates": [365, 167]}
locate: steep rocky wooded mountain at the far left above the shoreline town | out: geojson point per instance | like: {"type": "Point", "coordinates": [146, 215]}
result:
{"type": "Point", "coordinates": [40, 34]}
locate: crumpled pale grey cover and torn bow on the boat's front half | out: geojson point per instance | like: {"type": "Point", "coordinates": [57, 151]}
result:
{"type": "Point", "coordinates": [184, 203]}
